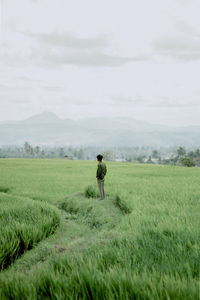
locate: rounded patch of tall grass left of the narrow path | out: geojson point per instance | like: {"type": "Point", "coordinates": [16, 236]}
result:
{"type": "Point", "coordinates": [23, 223]}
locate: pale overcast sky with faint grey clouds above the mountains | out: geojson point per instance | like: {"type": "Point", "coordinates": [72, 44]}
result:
{"type": "Point", "coordinates": [94, 58]}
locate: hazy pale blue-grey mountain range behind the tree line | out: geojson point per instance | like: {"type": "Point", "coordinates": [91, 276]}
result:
{"type": "Point", "coordinates": [49, 129]}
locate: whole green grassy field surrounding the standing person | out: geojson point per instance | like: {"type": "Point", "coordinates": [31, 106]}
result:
{"type": "Point", "coordinates": [141, 242]}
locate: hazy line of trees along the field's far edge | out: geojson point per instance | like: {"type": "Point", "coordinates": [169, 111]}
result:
{"type": "Point", "coordinates": [170, 155]}
